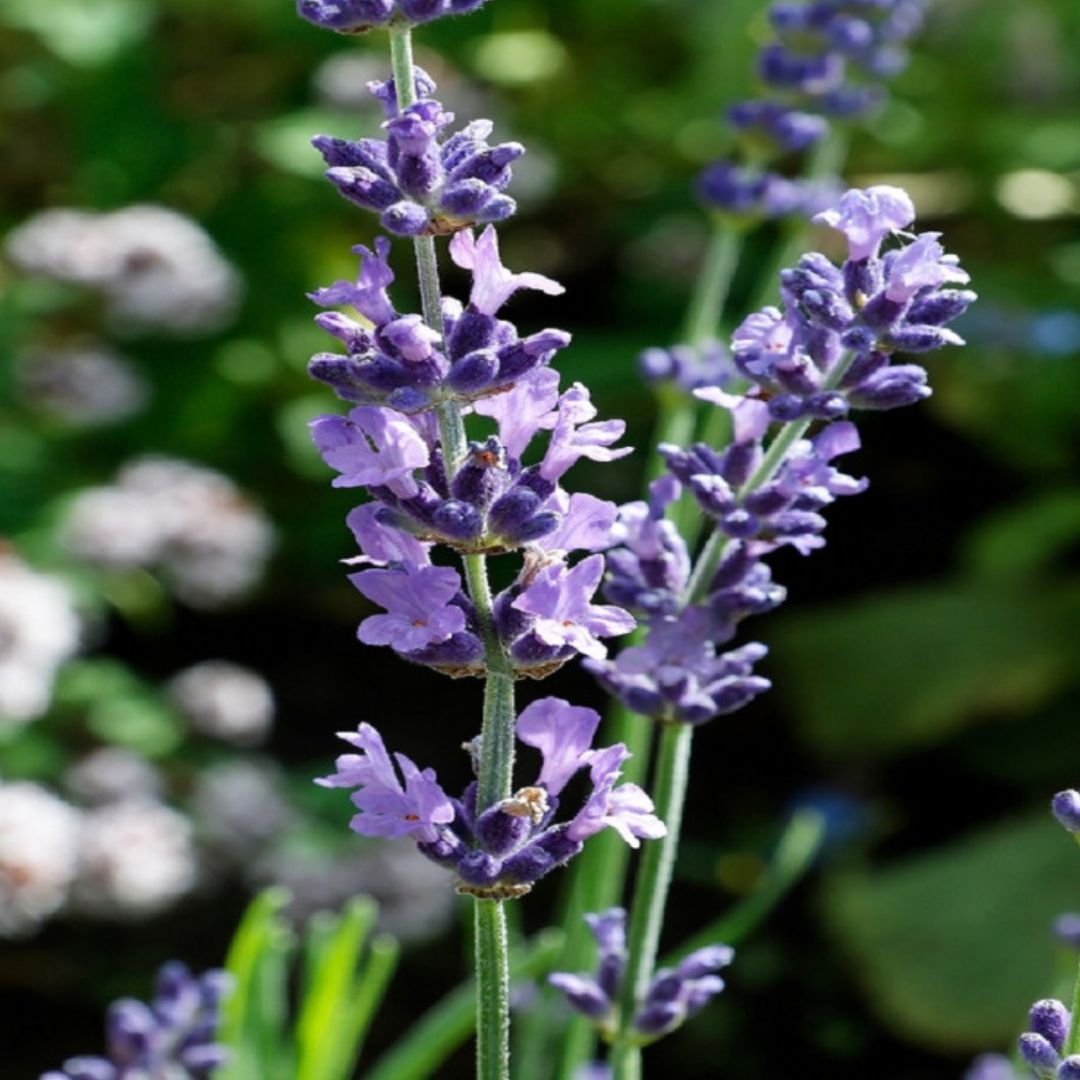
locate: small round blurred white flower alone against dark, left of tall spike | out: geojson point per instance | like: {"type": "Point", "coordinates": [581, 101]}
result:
{"type": "Point", "coordinates": [225, 700]}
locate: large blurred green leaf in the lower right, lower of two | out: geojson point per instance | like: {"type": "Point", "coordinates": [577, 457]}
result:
{"type": "Point", "coordinates": [955, 946]}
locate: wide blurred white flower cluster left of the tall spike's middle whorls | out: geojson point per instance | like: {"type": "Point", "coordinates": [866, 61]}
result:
{"type": "Point", "coordinates": [193, 524]}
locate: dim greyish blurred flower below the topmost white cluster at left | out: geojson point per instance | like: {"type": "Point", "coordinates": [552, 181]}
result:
{"type": "Point", "coordinates": [86, 384]}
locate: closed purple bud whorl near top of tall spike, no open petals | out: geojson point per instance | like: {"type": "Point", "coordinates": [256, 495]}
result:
{"type": "Point", "coordinates": [416, 181]}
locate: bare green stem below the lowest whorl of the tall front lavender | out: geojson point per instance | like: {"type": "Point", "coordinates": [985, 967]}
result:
{"type": "Point", "coordinates": [493, 992]}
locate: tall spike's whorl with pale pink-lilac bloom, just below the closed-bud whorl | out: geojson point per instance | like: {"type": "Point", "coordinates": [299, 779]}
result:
{"type": "Point", "coordinates": [403, 364]}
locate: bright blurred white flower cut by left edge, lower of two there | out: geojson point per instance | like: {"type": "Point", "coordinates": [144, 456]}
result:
{"type": "Point", "coordinates": [39, 842]}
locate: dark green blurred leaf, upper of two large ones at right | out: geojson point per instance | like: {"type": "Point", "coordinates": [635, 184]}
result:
{"type": "Point", "coordinates": [911, 667]}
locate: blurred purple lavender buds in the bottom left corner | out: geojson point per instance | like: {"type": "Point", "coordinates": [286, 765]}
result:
{"type": "Point", "coordinates": [171, 1037]}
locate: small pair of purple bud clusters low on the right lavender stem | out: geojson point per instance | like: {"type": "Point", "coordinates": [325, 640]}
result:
{"type": "Point", "coordinates": [674, 995]}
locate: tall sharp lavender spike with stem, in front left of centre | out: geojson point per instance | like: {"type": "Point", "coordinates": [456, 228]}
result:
{"type": "Point", "coordinates": [414, 381]}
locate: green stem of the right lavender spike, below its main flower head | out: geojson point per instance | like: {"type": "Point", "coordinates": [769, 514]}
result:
{"type": "Point", "coordinates": [653, 886]}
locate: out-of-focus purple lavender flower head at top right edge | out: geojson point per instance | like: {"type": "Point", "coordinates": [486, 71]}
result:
{"type": "Point", "coordinates": [829, 61]}
